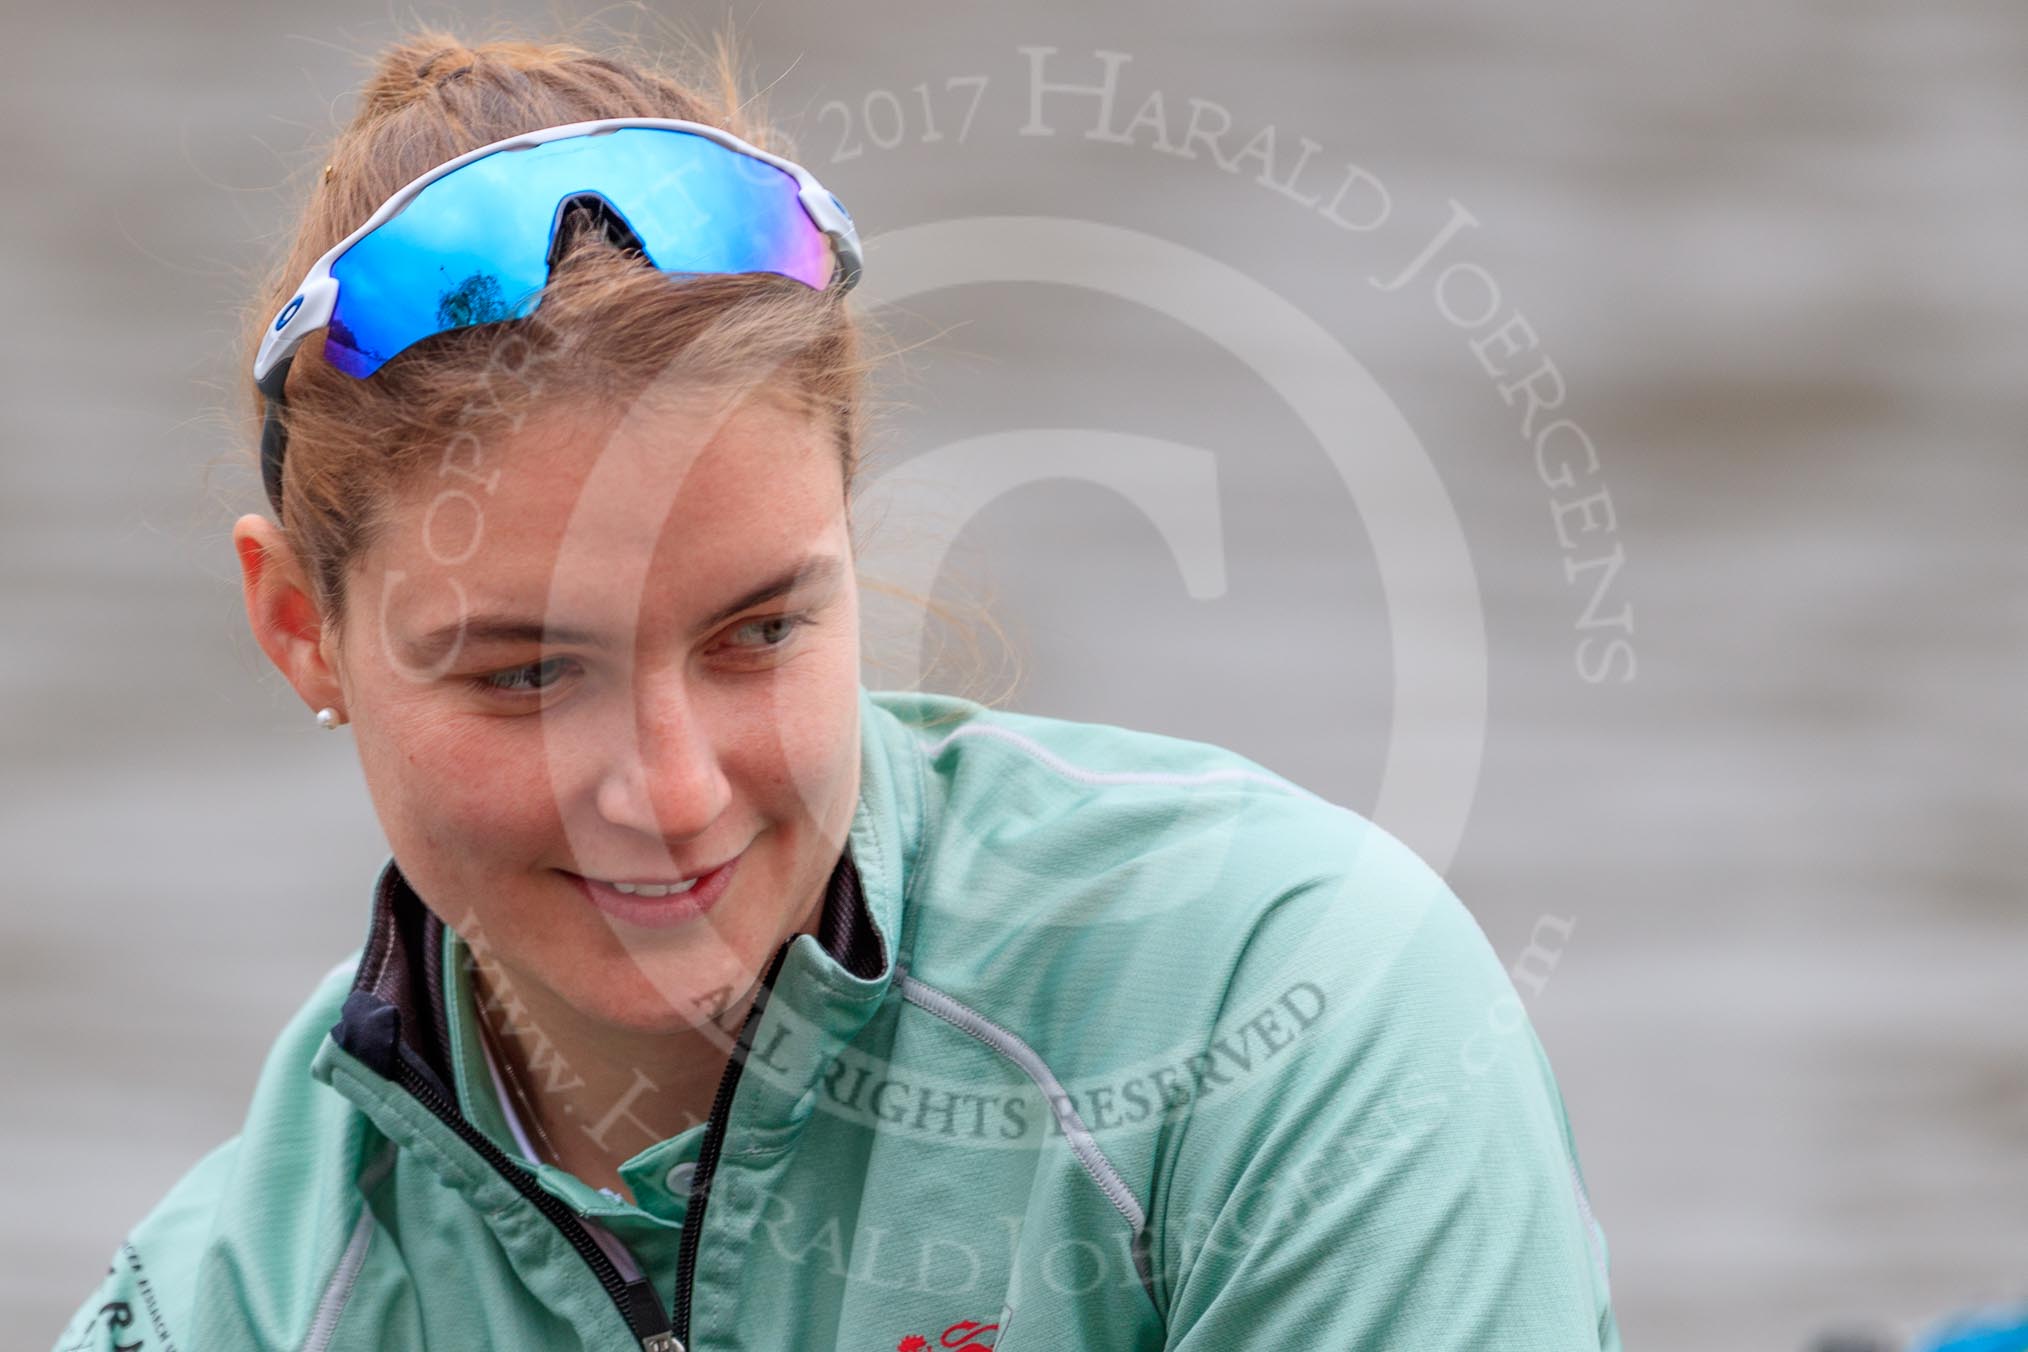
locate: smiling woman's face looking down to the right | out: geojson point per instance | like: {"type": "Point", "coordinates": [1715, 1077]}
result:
{"type": "Point", "coordinates": [618, 648]}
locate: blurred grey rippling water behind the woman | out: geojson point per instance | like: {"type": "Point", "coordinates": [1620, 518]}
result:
{"type": "Point", "coordinates": [1773, 250]}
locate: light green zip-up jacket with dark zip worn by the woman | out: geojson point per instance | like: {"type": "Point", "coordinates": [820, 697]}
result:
{"type": "Point", "coordinates": [1110, 1041]}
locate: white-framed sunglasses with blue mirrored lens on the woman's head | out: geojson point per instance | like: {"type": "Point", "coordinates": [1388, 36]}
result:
{"type": "Point", "coordinates": [474, 240]}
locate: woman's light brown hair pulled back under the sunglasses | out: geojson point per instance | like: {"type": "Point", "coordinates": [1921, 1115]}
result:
{"type": "Point", "coordinates": [354, 445]}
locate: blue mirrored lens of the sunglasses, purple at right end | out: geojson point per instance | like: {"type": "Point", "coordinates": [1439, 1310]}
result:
{"type": "Point", "coordinates": [474, 246]}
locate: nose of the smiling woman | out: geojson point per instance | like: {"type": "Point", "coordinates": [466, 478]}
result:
{"type": "Point", "coordinates": [670, 781]}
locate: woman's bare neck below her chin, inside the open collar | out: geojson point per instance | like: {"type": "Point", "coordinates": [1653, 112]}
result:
{"type": "Point", "coordinates": [593, 1096]}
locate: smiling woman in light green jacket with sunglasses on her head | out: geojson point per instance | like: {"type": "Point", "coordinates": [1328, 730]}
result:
{"type": "Point", "coordinates": [709, 998]}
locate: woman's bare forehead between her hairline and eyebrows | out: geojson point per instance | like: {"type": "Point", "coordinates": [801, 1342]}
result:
{"type": "Point", "coordinates": [603, 516]}
